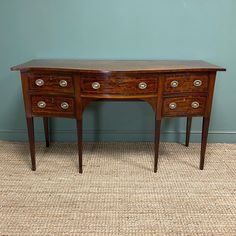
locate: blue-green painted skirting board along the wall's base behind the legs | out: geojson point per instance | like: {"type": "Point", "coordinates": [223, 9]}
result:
{"type": "Point", "coordinates": [120, 135]}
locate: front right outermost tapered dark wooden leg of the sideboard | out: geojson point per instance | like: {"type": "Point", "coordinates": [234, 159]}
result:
{"type": "Point", "coordinates": [205, 127]}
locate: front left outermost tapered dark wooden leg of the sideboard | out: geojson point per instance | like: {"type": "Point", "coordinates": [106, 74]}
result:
{"type": "Point", "coordinates": [30, 126]}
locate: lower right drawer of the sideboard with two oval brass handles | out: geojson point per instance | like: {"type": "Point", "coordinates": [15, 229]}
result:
{"type": "Point", "coordinates": [182, 106]}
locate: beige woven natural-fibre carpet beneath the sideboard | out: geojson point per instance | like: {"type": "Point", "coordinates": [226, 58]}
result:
{"type": "Point", "coordinates": [118, 193]}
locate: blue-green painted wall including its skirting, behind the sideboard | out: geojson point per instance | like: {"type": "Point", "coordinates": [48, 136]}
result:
{"type": "Point", "coordinates": [118, 29]}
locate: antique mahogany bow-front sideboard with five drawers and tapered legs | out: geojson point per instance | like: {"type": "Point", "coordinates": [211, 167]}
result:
{"type": "Point", "coordinates": [63, 88]}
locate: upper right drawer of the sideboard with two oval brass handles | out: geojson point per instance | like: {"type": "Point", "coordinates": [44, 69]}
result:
{"type": "Point", "coordinates": [197, 82]}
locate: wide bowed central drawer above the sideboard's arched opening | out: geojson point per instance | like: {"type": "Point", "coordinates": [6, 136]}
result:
{"type": "Point", "coordinates": [119, 85]}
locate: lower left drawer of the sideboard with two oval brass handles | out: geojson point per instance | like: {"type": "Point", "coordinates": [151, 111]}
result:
{"type": "Point", "coordinates": [53, 105]}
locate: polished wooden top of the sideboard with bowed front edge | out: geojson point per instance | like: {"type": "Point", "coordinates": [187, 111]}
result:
{"type": "Point", "coordinates": [119, 65]}
